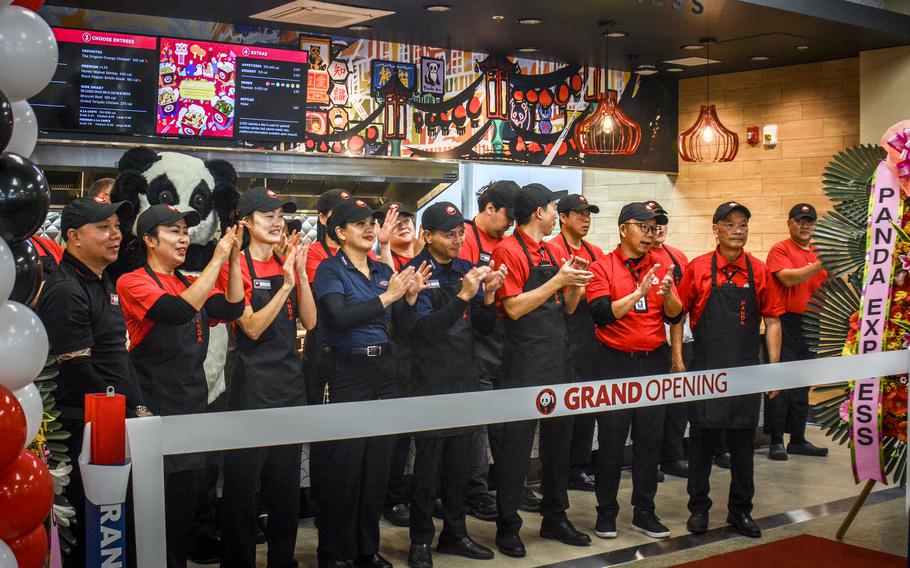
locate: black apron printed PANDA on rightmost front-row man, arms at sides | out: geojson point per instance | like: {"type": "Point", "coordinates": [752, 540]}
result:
{"type": "Point", "coordinates": [727, 335]}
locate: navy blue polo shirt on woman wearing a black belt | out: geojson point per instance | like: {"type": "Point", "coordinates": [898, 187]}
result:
{"type": "Point", "coordinates": [338, 275]}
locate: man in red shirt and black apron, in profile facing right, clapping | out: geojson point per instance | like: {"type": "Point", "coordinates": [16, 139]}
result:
{"type": "Point", "coordinates": [538, 290]}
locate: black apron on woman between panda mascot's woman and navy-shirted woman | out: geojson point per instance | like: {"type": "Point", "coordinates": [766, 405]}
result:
{"type": "Point", "coordinates": [269, 371]}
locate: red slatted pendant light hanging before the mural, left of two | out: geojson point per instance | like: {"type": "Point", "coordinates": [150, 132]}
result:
{"type": "Point", "coordinates": [608, 131]}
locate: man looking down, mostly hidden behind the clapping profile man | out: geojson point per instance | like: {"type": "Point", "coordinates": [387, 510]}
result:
{"type": "Point", "coordinates": [481, 235]}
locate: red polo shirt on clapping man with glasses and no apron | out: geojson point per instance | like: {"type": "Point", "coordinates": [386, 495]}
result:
{"type": "Point", "coordinates": [637, 330]}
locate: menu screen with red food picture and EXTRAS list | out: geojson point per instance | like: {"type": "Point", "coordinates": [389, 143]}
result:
{"type": "Point", "coordinates": [223, 90]}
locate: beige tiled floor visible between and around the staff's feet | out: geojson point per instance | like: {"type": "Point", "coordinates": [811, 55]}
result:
{"type": "Point", "coordinates": [780, 487]}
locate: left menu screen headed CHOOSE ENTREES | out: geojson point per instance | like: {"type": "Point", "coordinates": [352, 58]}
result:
{"type": "Point", "coordinates": [104, 83]}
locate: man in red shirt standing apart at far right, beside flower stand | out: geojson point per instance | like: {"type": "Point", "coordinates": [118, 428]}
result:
{"type": "Point", "coordinates": [797, 274]}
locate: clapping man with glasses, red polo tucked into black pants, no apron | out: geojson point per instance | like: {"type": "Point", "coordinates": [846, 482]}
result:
{"type": "Point", "coordinates": [631, 296]}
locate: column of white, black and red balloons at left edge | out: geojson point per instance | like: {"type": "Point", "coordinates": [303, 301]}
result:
{"type": "Point", "coordinates": [28, 59]}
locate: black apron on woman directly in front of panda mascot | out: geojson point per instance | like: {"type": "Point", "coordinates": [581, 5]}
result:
{"type": "Point", "coordinates": [169, 367]}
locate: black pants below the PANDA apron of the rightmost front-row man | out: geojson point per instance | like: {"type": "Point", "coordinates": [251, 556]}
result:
{"type": "Point", "coordinates": [702, 442]}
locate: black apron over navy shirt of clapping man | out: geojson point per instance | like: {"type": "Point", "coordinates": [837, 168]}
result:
{"type": "Point", "coordinates": [434, 374]}
